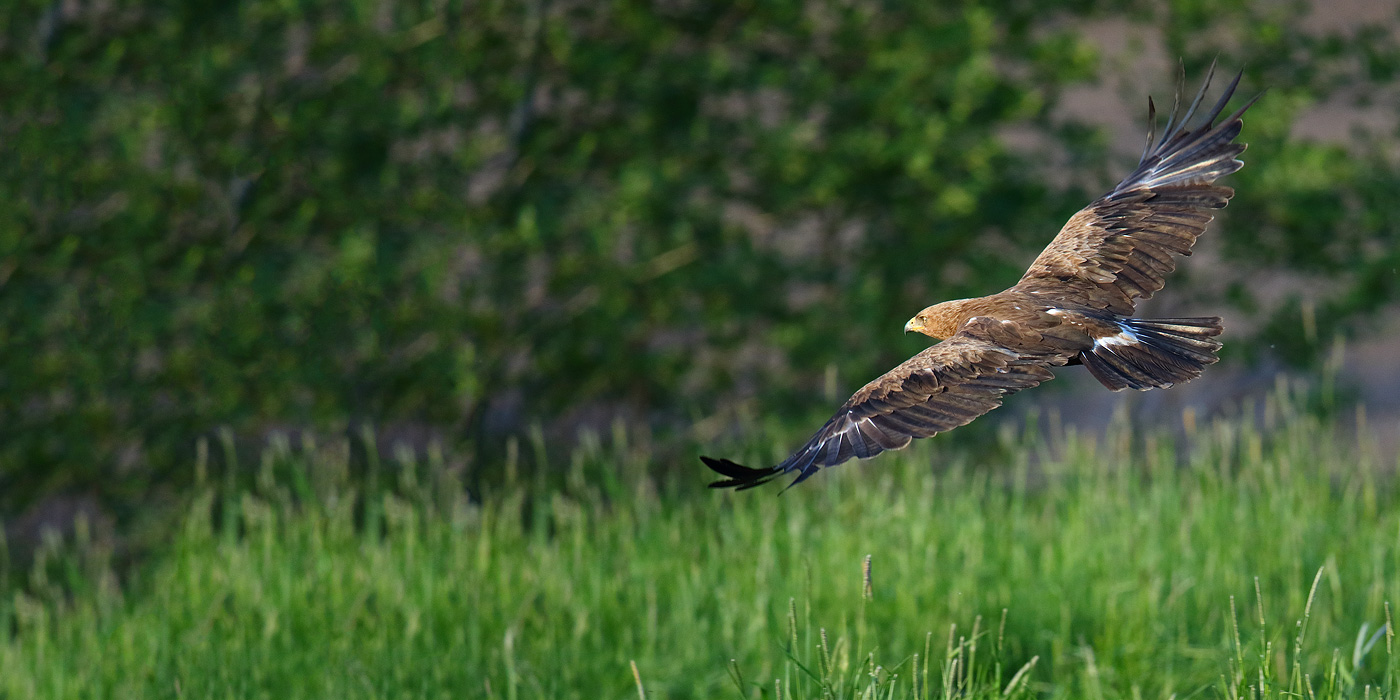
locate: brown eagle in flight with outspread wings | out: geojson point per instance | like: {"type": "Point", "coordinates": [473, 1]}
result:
{"type": "Point", "coordinates": [1074, 306]}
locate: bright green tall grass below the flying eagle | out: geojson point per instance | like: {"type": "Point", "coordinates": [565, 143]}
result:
{"type": "Point", "coordinates": [1104, 570]}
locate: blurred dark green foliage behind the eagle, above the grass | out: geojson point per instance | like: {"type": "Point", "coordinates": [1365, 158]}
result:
{"type": "Point", "coordinates": [461, 219]}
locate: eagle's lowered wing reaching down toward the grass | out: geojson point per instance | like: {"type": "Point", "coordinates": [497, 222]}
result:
{"type": "Point", "coordinates": [941, 388]}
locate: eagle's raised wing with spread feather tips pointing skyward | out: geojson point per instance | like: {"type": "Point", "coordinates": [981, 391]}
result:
{"type": "Point", "coordinates": [1119, 248]}
